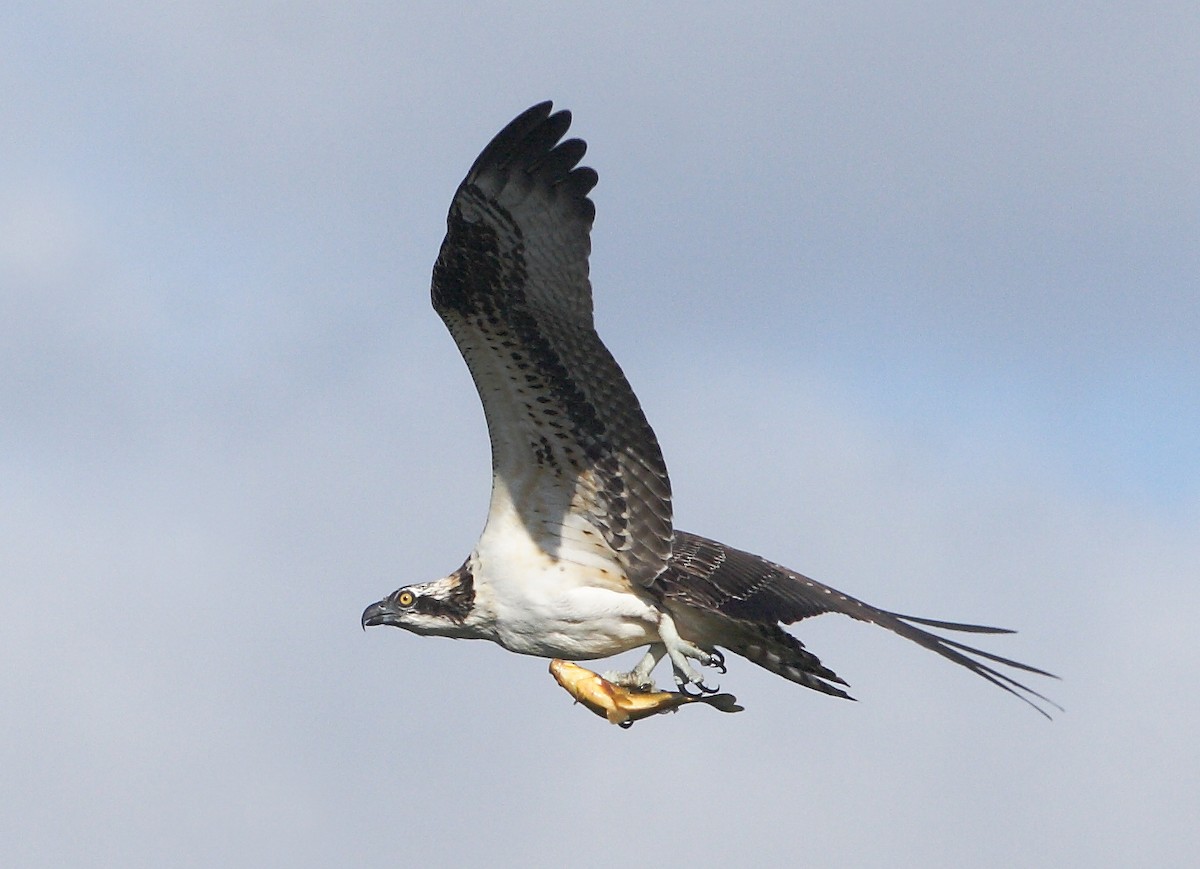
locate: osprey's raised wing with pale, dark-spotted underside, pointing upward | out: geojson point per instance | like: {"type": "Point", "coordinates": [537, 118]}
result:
{"type": "Point", "coordinates": [573, 454]}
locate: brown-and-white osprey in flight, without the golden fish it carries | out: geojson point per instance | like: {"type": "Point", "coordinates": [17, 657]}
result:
{"type": "Point", "coordinates": [579, 559]}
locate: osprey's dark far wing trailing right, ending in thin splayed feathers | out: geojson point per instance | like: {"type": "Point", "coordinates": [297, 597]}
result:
{"type": "Point", "coordinates": [713, 577]}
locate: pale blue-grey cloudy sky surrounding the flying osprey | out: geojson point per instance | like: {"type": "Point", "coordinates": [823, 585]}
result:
{"type": "Point", "coordinates": [909, 292]}
